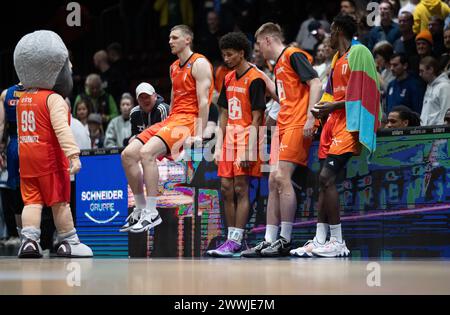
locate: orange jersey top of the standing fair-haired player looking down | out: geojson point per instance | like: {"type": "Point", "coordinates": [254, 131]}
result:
{"type": "Point", "coordinates": [293, 94]}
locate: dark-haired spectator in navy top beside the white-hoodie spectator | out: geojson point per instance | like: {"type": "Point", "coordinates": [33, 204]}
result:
{"type": "Point", "coordinates": [406, 89]}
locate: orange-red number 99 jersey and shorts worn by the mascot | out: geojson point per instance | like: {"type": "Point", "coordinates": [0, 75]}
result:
{"type": "Point", "coordinates": [43, 164]}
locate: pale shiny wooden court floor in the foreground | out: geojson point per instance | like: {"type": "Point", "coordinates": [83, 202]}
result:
{"type": "Point", "coordinates": [223, 276]}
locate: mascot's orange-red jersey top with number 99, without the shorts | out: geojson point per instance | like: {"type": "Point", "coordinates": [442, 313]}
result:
{"type": "Point", "coordinates": [39, 150]}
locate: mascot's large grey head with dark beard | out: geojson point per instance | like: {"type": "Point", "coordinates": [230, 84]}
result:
{"type": "Point", "coordinates": [41, 61]}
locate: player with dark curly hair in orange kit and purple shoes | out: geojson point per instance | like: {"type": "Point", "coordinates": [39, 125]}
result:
{"type": "Point", "coordinates": [242, 102]}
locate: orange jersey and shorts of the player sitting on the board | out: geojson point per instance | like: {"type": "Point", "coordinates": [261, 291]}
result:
{"type": "Point", "coordinates": [180, 123]}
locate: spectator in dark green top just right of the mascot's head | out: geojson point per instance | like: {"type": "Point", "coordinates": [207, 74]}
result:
{"type": "Point", "coordinates": [102, 102]}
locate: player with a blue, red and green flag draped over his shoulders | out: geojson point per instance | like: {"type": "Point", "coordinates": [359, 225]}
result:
{"type": "Point", "coordinates": [353, 84]}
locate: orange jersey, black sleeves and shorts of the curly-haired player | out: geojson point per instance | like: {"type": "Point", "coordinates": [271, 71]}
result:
{"type": "Point", "coordinates": [244, 95]}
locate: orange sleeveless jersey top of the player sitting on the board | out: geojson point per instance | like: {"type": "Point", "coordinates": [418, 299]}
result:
{"type": "Point", "coordinates": [184, 87]}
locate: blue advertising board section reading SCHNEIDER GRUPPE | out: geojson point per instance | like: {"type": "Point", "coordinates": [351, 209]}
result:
{"type": "Point", "coordinates": [102, 204]}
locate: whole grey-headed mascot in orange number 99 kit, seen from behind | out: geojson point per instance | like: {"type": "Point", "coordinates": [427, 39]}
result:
{"type": "Point", "coordinates": [47, 148]}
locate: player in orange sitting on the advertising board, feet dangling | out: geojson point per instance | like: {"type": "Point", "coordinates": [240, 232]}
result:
{"type": "Point", "coordinates": [192, 88]}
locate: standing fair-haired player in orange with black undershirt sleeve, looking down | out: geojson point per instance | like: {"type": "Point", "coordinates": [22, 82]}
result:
{"type": "Point", "coordinates": [298, 90]}
